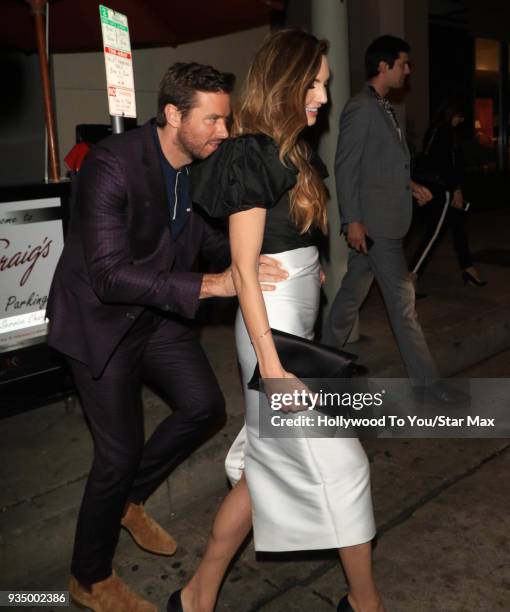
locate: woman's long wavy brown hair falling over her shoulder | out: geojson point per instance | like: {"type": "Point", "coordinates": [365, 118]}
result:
{"type": "Point", "coordinates": [273, 103]}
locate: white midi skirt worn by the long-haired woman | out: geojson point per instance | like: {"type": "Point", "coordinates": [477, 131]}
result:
{"type": "Point", "coordinates": [306, 493]}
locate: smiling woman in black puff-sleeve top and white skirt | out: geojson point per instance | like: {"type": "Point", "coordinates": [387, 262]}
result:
{"type": "Point", "coordinates": [299, 493]}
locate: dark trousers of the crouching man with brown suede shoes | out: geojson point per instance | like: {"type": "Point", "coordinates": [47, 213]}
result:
{"type": "Point", "coordinates": [166, 355]}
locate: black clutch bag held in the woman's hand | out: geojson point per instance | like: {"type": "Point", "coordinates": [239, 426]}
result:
{"type": "Point", "coordinates": [307, 359]}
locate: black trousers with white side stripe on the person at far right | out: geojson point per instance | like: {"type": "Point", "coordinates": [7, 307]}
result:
{"type": "Point", "coordinates": [439, 215]}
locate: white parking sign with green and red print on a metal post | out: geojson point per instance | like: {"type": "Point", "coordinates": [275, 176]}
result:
{"type": "Point", "coordinates": [119, 67]}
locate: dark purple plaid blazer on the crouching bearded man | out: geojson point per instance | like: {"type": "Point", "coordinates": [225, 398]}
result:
{"type": "Point", "coordinates": [119, 256]}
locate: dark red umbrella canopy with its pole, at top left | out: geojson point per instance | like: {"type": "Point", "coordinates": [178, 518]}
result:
{"type": "Point", "coordinates": [74, 26]}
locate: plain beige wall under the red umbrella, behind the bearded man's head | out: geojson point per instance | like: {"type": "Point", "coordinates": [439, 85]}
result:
{"type": "Point", "coordinates": [80, 84]}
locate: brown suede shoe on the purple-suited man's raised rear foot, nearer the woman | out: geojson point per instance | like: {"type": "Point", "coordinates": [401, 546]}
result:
{"type": "Point", "coordinates": [146, 532]}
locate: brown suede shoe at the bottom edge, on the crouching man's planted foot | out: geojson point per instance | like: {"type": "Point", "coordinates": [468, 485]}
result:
{"type": "Point", "coordinates": [110, 595]}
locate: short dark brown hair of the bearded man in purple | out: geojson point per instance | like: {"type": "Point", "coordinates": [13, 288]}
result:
{"type": "Point", "coordinates": [181, 81]}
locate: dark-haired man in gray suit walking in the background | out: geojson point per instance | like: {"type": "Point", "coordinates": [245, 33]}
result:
{"type": "Point", "coordinates": [374, 189]}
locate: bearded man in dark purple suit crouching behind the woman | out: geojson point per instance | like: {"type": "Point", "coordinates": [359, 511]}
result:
{"type": "Point", "coordinates": [123, 295]}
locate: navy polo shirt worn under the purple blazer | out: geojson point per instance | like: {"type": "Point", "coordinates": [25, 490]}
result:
{"type": "Point", "coordinates": [177, 189]}
